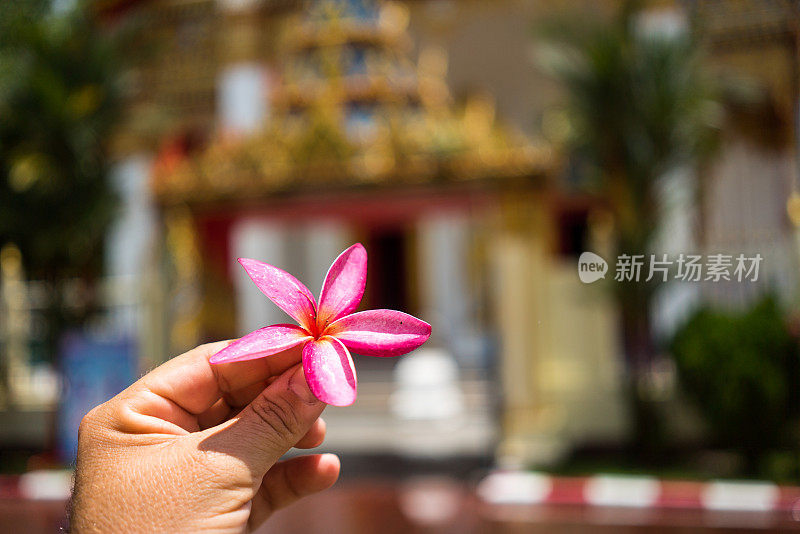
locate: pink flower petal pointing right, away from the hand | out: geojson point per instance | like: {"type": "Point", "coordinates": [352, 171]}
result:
{"type": "Point", "coordinates": [380, 332]}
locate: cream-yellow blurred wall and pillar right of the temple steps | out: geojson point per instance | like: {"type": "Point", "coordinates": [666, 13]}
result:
{"type": "Point", "coordinates": [560, 364]}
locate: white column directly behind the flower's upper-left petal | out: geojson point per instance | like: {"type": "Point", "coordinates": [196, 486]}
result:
{"type": "Point", "coordinates": [262, 241]}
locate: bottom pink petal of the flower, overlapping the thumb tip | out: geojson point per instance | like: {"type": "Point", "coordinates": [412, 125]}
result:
{"type": "Point", "coordinates": [329, 371]}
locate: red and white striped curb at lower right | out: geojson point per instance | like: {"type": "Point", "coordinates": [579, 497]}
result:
{"type": "Point", "coordinates": [520, 487]}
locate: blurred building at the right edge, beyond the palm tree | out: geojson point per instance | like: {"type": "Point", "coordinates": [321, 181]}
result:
{"type": "Point", "coordinates": [754, 48]}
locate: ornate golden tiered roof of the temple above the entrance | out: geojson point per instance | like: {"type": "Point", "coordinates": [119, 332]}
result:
{"type": "Point", "coordinates": [352, 109]}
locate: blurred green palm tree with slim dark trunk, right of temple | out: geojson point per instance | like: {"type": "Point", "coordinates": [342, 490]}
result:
{"type": "Point", "coordinates": [639, 107]}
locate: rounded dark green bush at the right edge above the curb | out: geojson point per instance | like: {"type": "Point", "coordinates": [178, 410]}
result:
{"type": "Point", "coordinates": [742, 372]}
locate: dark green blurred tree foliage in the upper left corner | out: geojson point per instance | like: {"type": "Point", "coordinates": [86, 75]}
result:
{"type": "Point", "coordinates": [58, 102]}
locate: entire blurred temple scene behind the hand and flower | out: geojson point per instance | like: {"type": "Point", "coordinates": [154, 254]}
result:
{"type": "Point", "coordinates": [476, 149]}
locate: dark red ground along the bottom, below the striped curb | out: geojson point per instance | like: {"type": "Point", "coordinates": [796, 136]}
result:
{"type": "Point", "coordinates": [443, 506]}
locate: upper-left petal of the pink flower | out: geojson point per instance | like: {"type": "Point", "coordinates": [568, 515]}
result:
{"type": "Point", "coordinates": [286, 291]}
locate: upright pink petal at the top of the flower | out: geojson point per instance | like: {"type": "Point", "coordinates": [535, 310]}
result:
{"type": "Point", "coordinates": [344, 285]}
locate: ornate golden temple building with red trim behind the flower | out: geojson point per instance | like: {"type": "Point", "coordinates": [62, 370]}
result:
{"type": "Point", "coordinates": [284, 131]}
